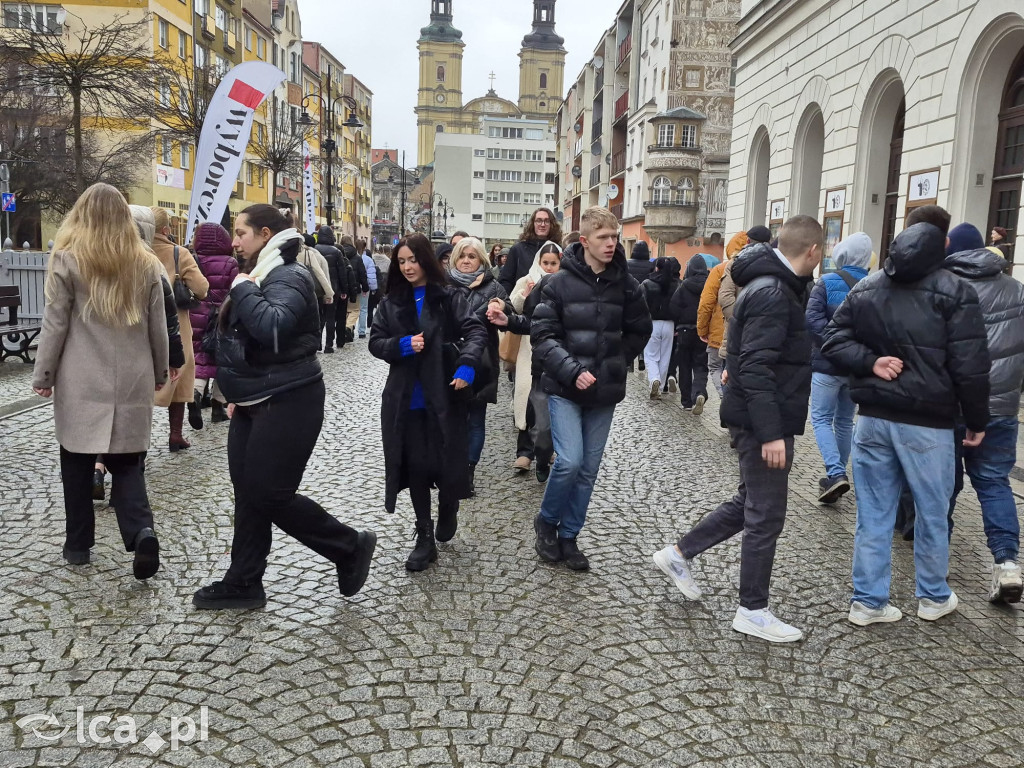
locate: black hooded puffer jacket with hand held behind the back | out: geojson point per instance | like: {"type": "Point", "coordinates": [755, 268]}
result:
{"type": "Point", "coordinates": [928, 318]}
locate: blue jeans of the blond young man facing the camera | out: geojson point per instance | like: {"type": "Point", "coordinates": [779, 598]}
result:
{"type": "Point", "coordinates": [579, 436]}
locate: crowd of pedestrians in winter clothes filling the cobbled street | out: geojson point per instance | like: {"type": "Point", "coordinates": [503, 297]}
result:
{"type": "Point", "coordinates": [912, 373]}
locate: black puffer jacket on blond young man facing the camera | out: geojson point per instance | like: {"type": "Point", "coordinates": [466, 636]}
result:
{"type": "Point", "coordinates": [588, 322]}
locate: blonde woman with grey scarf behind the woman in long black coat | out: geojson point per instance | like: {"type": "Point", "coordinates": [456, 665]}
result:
{"type": "Point", "coordinates": [470, 273]}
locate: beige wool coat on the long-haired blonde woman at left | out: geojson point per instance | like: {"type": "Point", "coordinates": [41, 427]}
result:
{"type": "Point", "coordinates": [103, 377]}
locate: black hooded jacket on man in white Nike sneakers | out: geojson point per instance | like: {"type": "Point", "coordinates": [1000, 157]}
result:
{"type": "Point", "coordinates": [770, 353]}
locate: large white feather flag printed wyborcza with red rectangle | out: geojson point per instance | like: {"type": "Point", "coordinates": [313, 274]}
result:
{"type": "Point", "coordinates": [226, 137]}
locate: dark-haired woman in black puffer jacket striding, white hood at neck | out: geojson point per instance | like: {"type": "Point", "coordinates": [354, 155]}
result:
{"type": "Point", "coordinates": [269, 332]}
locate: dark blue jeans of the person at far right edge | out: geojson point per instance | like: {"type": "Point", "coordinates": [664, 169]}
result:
{"type": "Point", "coordinates": [989, 467]}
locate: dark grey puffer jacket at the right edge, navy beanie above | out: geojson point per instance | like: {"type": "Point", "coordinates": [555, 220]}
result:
{"type": "Point", "coordinates": [1002, 302]}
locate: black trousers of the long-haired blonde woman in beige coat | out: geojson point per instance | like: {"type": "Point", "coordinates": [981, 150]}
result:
{"type": "Point", "coordinates": [129, 497]}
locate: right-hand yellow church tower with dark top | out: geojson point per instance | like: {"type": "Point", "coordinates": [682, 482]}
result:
{"type": "Point", "coordinates": [542, 66]}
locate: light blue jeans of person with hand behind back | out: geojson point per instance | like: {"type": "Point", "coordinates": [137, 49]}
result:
{"type": "Point", "coordinates": [887, 455]}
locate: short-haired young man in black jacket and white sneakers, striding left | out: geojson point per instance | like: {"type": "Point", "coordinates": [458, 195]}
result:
{"type": "Point", "coordinates": [764, 407]}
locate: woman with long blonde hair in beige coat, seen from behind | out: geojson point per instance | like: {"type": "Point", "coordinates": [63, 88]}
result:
{"type": "Point", "coordinates": [103, 353]}
